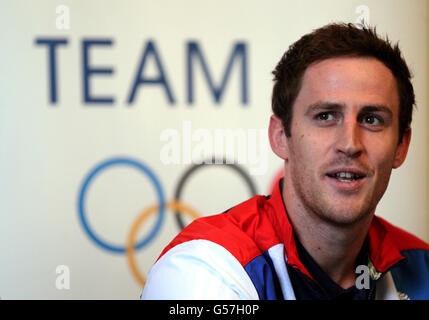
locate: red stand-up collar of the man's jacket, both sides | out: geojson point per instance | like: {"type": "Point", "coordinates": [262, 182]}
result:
{"type": "Point", "coordinates": [383, 251]}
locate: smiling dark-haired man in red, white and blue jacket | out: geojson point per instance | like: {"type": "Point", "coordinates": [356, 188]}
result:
{"type": "Point", "coordinates": [342, 104]}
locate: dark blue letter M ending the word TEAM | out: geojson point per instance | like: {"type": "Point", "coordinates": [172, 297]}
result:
{"type": "Point", "coordinates": [239, 53]}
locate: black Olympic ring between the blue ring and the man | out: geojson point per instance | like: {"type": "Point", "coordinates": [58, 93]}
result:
{"type": "Point", "coordinates": [195, 167]}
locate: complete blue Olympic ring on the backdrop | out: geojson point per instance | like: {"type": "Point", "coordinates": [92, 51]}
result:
{"type": "Point", "coordinates": [135, 164]}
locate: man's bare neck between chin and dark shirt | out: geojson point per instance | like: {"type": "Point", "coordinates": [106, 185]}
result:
{"type": "Point", "coordinates": [333, 247]}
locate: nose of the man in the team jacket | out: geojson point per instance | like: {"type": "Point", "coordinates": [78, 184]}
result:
{"type": "Point", "coordinates": [349, 139]}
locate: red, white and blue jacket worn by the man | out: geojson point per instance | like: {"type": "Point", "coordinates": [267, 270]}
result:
{"type": "Point", "coordinates": [244, 253]}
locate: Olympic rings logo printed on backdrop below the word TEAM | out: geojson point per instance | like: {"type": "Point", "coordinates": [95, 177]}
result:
{"type": "Point", "coordinates": [175, 205]}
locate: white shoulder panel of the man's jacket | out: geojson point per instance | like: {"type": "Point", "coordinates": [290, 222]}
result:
{"type": "Point", "coordinates": [198, 269]}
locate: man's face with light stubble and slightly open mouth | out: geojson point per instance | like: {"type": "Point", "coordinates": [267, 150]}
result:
{"type": "Point", "coordinates": [344, 138]}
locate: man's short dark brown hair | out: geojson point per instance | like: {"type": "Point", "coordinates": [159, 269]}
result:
{"type": "Point", "coordinates": [337, 40]}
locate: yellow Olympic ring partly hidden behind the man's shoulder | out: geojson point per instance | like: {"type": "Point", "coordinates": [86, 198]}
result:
{"type": "Point", "coordinates": [172, 205]}
